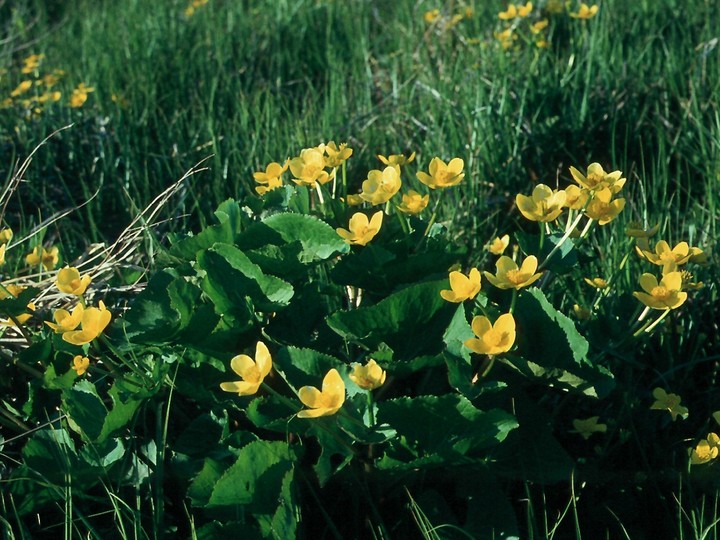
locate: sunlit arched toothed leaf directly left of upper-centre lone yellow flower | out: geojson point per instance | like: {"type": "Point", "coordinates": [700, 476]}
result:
{"type": "Point", "coordinates": [318, 239]}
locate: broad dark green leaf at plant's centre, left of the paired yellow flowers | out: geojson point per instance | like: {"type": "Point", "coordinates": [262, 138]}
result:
{"type": "Point", "coordinates": [411, 322]}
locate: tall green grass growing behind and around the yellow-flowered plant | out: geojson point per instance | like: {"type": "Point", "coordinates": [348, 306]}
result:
{"type": "Point", "coordinates": [240, 84]}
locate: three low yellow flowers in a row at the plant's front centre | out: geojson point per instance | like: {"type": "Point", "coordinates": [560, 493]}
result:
{"type": "Point", "coordinates": [325, 401]}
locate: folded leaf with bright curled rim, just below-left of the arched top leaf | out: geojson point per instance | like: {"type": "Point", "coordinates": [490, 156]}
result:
{"type": "Point", "coordinates": [232, 277]}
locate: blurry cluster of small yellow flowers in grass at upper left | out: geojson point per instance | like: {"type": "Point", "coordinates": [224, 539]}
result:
{"type": "Point", "coordinates": [36, 90]}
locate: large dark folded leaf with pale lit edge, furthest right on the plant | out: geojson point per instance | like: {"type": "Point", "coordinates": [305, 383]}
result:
{"type": "Point", "coordinates": [551, 348]}
